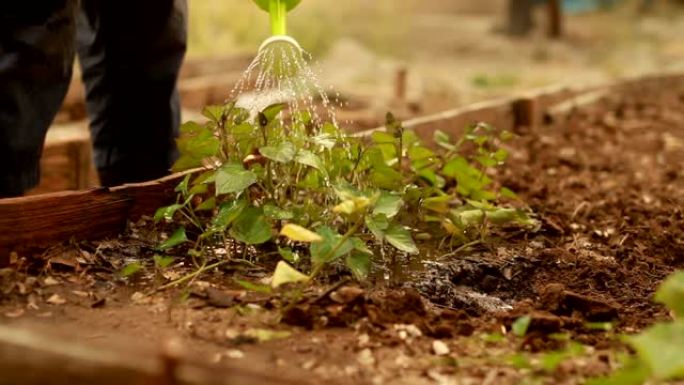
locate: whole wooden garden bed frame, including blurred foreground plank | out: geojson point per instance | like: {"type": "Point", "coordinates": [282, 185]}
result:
{"type": "Point", "coordinates": [29, 356]}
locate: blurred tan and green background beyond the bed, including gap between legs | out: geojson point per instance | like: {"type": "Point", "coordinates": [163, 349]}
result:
{"type": "Point", "coordinates": [413, 57]}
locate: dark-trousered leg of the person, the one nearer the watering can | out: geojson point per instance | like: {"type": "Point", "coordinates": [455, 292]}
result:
{"type": "Point", "coordinates": [130, 53]}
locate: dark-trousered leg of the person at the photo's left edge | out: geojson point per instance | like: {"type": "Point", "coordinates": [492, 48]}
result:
{"type": "Point", "coordinates": [36, 61]}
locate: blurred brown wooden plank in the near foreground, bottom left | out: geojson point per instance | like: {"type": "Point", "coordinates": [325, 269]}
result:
{"type": "Point", "coordinates": [30, 356]}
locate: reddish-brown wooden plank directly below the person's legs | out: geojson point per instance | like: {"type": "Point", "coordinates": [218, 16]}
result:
{"type": "Point", "coordinates": [40, 220]}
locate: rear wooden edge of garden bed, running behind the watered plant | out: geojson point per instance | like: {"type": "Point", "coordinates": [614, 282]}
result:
{"type": "Point", "coordinates": [42, 220]}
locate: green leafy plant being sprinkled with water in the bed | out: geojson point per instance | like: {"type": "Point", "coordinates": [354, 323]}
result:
{"type": "Point", "coordinates": [275, 183]}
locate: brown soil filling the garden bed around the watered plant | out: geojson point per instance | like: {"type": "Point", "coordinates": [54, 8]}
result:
{"type": "Point", "coordinates": [607, 185]}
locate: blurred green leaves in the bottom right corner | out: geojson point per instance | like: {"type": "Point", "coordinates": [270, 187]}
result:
{"type": "Point", "coordinates": [660, 348]}
